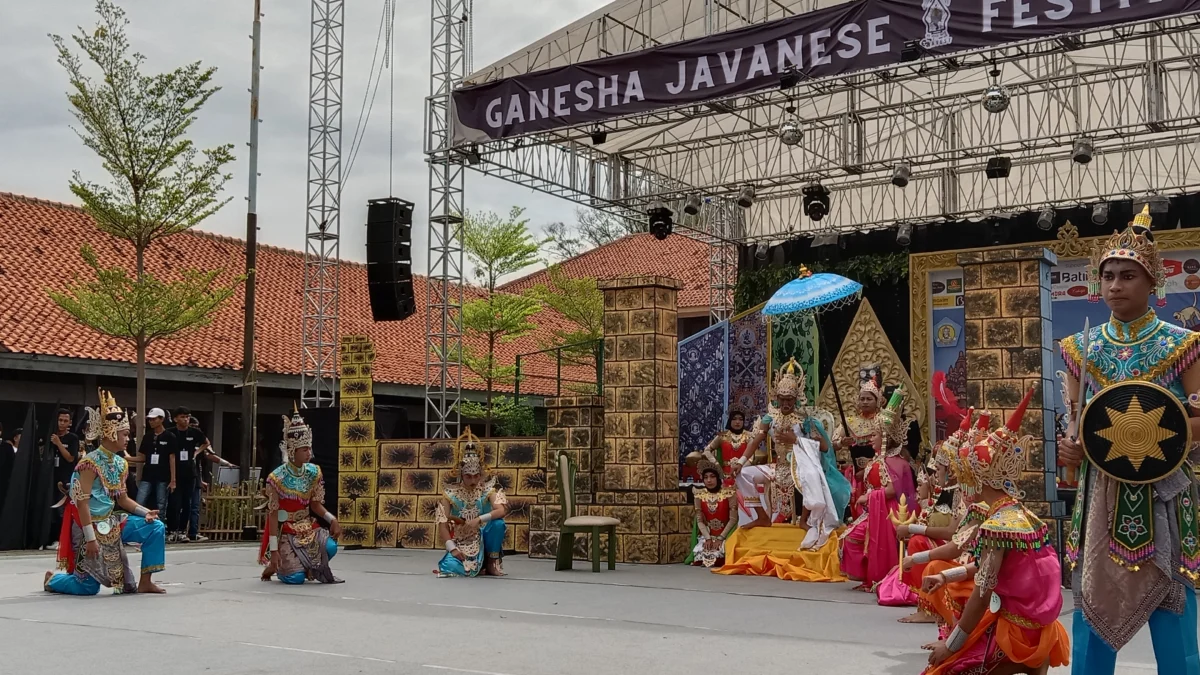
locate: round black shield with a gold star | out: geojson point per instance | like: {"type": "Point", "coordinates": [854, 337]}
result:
{"type": "Point", "coordinates": [1136, 432]}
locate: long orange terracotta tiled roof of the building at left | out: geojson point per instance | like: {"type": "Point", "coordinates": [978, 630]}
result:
{"type": "Point", "coordinates": [41, 250]}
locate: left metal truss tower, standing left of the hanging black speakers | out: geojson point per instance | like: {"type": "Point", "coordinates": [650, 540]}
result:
{"type": "Point", "coordinates": [319, 379]}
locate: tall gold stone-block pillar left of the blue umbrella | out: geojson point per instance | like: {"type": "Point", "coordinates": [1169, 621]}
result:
{"type": "Point", "coordinates": [640, 485]}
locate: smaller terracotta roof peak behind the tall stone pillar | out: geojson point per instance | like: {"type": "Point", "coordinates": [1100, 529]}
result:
{"type": "Point", "coordinates": [677, 256]}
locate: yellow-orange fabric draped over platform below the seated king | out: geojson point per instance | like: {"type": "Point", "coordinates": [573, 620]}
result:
{"type": "Point", "coordinates": [772, 552]}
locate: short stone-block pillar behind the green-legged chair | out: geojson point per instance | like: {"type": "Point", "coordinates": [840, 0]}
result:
{"type": "Point", "coordinates": [574, 425]}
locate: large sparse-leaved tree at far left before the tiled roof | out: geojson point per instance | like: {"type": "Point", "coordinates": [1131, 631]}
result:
{"type": "Point", "coordinates": [161, 184]}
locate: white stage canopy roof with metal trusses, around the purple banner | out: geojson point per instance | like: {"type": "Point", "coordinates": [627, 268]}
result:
{"type": "Point", "coordinates": [1133, 92]}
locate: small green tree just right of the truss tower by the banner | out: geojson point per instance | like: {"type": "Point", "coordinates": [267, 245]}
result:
{"type": "Point", "coordinates": [496, 247]}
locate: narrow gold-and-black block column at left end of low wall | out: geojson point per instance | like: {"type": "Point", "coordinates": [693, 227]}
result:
{"type": "Point", "coordinates": [358, 457]}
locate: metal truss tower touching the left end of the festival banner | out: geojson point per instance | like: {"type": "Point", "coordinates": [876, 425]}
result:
{"type": "Point", "coordinates": [445, 295]}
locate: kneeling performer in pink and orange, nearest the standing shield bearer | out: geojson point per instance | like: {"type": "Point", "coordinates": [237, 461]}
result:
{"type": "Point", "coordinates": [1011, 623]}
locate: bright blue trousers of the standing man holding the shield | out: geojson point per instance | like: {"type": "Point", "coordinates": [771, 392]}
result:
{"type": "Point", "coordinates": [1174, 636]}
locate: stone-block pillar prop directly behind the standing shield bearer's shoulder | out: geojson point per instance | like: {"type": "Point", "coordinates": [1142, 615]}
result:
{"type": "Point", "coordinates": [1009, 348]}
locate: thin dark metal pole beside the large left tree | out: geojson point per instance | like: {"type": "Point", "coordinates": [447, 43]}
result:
{"type": "Point", "coordinates": [249, 366]}
